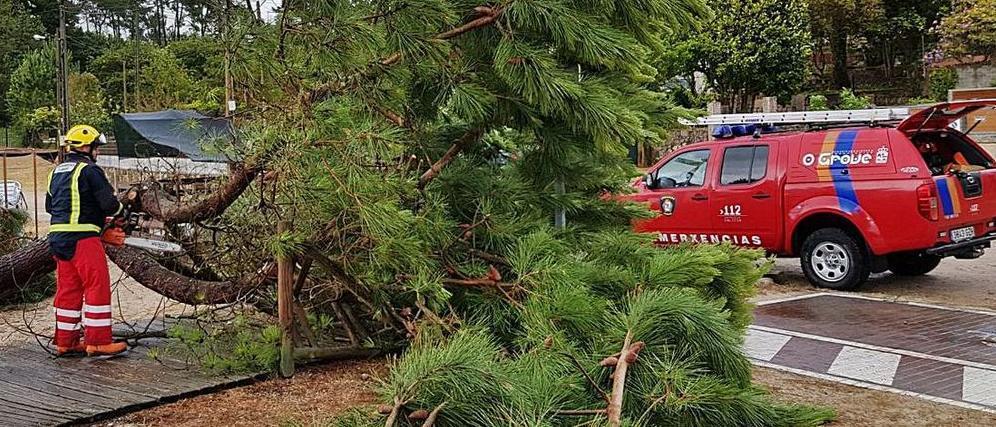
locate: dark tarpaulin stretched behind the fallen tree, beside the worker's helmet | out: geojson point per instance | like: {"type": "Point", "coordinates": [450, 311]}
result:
{"type": "Point", "coordinates": [172, 133]}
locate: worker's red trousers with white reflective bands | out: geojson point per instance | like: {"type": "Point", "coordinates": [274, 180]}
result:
{"type": "Point", "coordinates": [83, 295]}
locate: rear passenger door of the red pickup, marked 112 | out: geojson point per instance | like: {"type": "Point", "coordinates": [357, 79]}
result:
{"type": "Point", "coordinates": [745, 203]}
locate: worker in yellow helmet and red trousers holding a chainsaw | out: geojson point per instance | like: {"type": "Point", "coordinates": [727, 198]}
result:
{"type": "Point", "coordinates": [81, 200]}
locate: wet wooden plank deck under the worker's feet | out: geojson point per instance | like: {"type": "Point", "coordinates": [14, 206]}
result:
{"type": "Point", "coordinates": [39, 390]}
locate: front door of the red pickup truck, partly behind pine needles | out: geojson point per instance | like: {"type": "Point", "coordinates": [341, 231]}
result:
{"type": "Point", "coordinates": [679, 191]}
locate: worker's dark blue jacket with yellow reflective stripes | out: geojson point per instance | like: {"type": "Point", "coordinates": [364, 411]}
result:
{"type": "Point", "coordinates": [79, 199]}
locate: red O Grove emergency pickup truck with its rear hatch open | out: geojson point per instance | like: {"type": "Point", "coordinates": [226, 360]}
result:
{"type": "Point", "coordinates": [847, 201]}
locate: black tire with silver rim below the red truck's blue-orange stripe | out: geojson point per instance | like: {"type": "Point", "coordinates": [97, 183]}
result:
{"type": "Point", "coordinates": [833, 259]}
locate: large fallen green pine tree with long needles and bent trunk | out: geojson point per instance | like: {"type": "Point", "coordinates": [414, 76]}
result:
{"type": "Point", "coordinates": [420, 150]}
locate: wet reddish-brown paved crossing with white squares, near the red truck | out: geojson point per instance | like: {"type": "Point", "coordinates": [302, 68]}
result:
{"type": "Point", "coordinates": [942, 354]}
